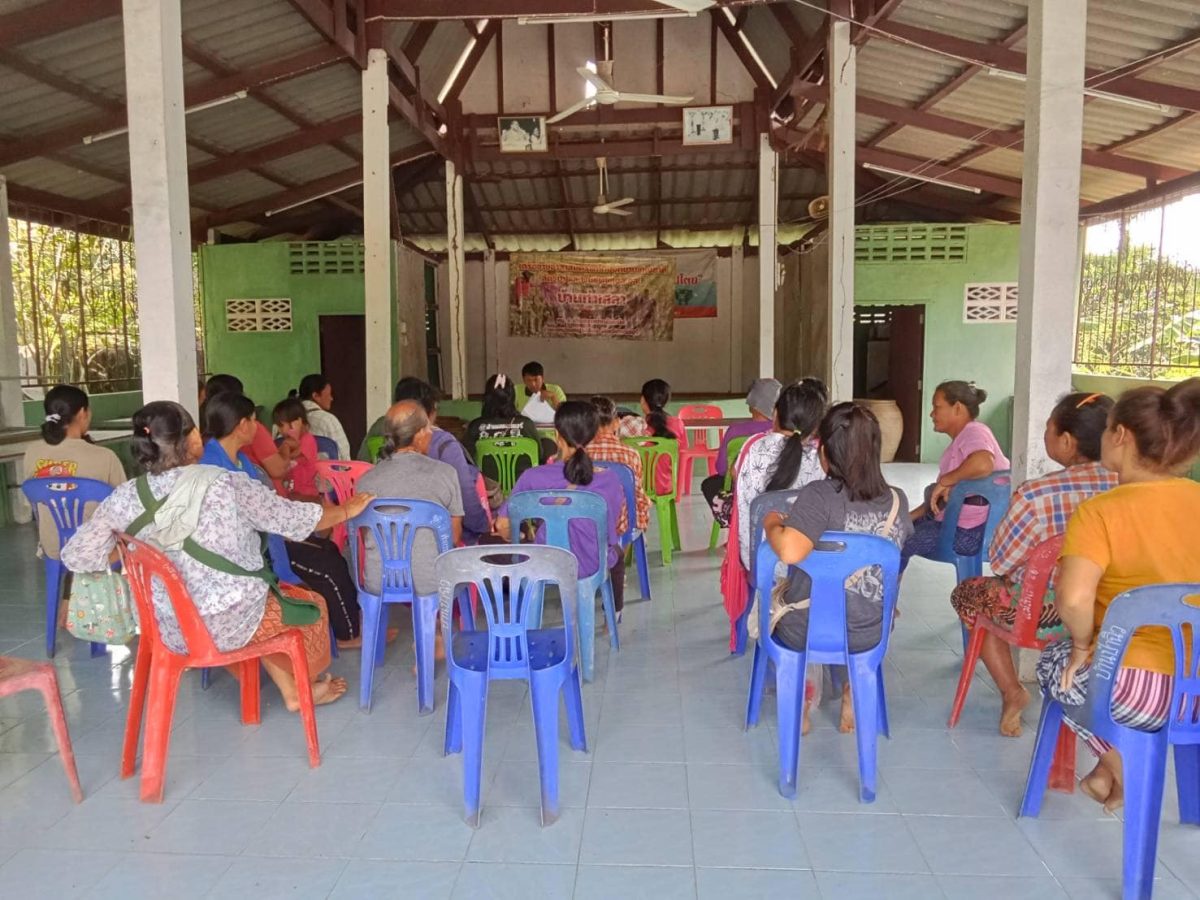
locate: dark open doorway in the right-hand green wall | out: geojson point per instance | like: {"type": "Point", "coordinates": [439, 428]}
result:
{"type": "Point", "coordinates": [890, 361]}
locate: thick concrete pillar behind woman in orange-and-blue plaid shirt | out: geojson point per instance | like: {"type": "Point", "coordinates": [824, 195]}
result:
{"type": "Point", "coordinates": [1049, 274]}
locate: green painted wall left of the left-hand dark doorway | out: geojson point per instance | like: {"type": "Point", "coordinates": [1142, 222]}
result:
{"type": "Point", "coordinates": [271, 364]}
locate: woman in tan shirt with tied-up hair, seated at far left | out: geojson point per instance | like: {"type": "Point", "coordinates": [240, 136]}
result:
{"type": "Point", "coordinates": [67, 451]}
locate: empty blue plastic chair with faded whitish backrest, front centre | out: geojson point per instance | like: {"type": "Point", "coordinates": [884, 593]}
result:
{"type": "Point", "coordinates": [511, 580]}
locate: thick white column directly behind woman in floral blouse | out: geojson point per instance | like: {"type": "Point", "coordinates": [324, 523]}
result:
{"type": "Point", "coordinates": [163, 229]}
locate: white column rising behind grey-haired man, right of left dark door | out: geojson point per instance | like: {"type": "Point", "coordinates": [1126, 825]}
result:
{"type": "Point", "coordinates": [377, 232]}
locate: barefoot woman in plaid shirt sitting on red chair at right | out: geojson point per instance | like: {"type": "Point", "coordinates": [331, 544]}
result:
{"type": "Point", "coordinates": [1040, 511]}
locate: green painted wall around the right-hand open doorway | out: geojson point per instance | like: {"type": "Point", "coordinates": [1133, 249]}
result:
{"type": "Point", "coordinates": [985, 355]}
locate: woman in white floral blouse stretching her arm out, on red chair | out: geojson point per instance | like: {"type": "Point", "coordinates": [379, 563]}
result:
{"type": "Point", "coordinates": [224, 513]}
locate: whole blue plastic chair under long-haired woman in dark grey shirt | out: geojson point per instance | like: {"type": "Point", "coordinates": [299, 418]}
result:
{"type": "Point", "coordinates": [839, 555]}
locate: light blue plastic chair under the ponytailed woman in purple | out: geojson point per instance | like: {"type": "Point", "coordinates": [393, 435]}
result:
{"type": "Point", "coordinates": [562, 513]}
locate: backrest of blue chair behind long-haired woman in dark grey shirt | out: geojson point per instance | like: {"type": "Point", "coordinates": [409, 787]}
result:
{"type": "Point", "coordinates": [837, 557]}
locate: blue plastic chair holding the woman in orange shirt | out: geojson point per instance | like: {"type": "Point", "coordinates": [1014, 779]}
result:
{"type": "Point", "coordinates": [1143, 753]}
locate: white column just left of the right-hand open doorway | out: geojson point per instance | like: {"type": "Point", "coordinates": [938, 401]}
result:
{"type": "Point", "coordinates": [841, 169]}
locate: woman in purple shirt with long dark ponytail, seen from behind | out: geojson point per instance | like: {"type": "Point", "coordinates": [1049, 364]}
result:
{"type": "Point", "coordinates": [575, 427]}
